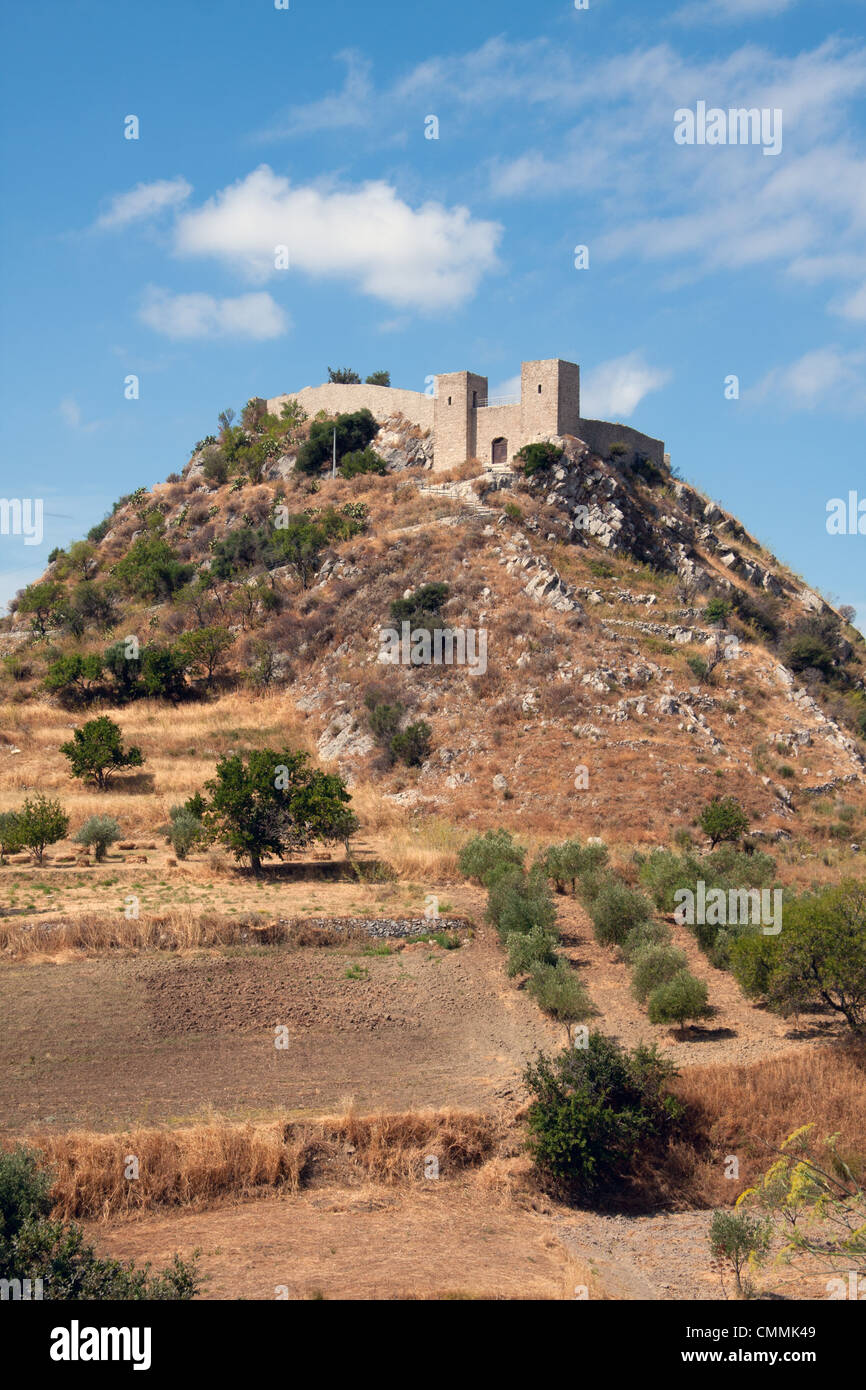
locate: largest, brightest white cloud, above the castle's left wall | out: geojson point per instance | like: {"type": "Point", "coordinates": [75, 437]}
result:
{"type": "Point", "coordinates": [432, 258]}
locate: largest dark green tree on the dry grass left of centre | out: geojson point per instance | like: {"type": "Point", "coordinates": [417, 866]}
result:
{"type": "Point", "coordinates": [272, 803]}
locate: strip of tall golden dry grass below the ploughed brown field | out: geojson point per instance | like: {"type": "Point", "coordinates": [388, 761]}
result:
{"type": "Point", "coordinates": [206, 1164]}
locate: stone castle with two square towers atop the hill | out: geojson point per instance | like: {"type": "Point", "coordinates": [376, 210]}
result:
{"type": "Point", "coordinates": [468, 423]}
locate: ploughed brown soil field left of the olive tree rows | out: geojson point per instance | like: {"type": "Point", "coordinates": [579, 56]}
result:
{"type": "Point", "coordinates": [120, 1039]}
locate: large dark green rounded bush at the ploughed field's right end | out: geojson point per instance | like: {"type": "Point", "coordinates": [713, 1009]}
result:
{"type": "Point", "coordinates": [598, 1110]}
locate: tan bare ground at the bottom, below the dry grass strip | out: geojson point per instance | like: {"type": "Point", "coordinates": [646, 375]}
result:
{"type": "Point", "coordinates": [446, 1241]}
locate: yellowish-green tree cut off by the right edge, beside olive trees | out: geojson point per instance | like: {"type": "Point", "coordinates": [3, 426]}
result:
{"type": "Point", "coordinates": [819, 957]}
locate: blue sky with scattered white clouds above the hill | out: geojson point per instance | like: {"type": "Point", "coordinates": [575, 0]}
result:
{"type": "Point", "coordinates": [307, 127]}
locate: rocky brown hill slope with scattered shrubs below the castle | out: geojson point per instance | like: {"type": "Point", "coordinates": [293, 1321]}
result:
{"type": "Point", "coordinates": [643, 651]}
